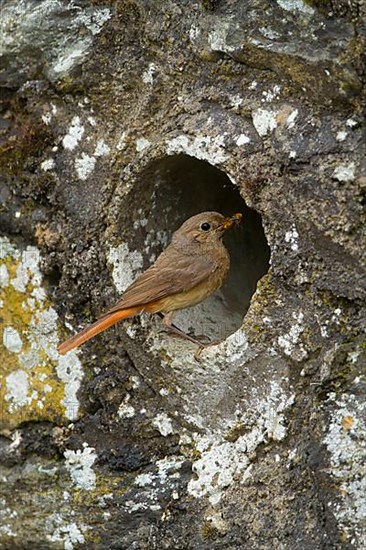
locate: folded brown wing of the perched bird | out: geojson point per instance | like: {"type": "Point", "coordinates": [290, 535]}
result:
{"type": "Point", "coordinates": [171, 274]}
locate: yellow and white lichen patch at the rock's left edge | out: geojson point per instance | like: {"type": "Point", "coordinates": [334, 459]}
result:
{"type": "Point", "coordinates": [30, 385]}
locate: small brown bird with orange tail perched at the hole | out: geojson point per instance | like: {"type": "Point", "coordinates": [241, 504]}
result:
{"type": "Point", "coordinates": [190, 269]}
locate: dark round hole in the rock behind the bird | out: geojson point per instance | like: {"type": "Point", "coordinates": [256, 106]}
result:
{"type": "Point", "coordinates": [168, 192]}
